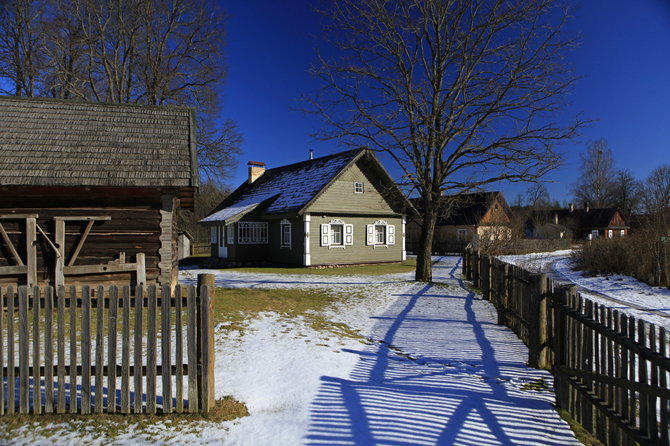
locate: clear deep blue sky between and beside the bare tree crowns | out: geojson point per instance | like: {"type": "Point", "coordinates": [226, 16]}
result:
{"type": "Point", "coordinates": [623, 62]}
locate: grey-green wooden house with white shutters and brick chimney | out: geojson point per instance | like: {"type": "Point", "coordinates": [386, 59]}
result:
{"type": "Point", "coordinates": [337, 209]}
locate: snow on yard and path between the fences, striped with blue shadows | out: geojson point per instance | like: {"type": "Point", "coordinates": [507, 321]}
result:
{"type": "Point", "coordinates": [431, 367]}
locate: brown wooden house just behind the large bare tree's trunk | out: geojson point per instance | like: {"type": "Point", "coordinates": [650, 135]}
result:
{"type": "Point", "coordinates": [465, 218]}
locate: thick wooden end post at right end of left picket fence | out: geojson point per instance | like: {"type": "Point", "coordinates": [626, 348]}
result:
{"type": "Point", "coordinates": [206, 342]}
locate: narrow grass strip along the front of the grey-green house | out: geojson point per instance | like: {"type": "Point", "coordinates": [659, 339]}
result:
{"type": "Point", "coordinates": [368, 270]}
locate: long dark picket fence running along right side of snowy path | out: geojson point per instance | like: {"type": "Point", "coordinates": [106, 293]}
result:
{"type": "Point", "coordinates": [611, 371]}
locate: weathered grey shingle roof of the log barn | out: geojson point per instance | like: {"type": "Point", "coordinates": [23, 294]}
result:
{"type": "Point", "coordinates": [47, 142]}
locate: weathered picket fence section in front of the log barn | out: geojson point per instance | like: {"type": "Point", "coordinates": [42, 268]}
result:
{"type": "Point", "coordinates": [93, 351]}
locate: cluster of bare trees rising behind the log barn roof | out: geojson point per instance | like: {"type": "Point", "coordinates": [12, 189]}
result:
{"type": "Point", "coordinates": [127, 51]}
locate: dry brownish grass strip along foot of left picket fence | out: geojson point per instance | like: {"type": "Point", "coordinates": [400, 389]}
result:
{"type": "Point", "coordinates": [113, 425]}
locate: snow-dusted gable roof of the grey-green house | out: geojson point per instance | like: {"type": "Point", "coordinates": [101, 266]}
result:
{"type": "Point", "coordinates": [289, 189]}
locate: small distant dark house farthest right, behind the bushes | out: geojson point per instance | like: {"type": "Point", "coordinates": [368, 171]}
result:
{"type": "Point", "coordinates": [580, 224]}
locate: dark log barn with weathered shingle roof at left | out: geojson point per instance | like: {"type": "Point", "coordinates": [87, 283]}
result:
{"type": "Point", "coordinates": [89, 191]}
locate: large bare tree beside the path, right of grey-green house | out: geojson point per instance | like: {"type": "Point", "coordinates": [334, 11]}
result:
{"type": "Point", "coordinates": [460, 93]}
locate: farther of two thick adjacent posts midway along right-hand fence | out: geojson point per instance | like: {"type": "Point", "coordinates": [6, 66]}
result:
{"type": "Point", "coordinates": [537, 336]}
